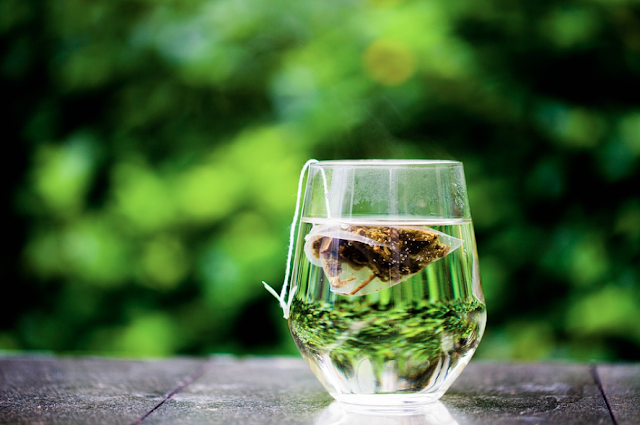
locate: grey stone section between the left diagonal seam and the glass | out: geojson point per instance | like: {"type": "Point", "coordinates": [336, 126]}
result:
{"type": "Point", "coordinates": [248, 391]}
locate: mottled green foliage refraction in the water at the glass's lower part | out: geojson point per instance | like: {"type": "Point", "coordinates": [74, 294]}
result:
{"type": "Point", "coordinates": [415, 343]}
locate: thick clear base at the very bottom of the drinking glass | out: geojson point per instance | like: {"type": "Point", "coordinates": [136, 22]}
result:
{"type": "Point", "coordinates": [387, 404]}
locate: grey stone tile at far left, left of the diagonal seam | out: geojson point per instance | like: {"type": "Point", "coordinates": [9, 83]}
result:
{"type": "Point", "coordinates": [54, 390]}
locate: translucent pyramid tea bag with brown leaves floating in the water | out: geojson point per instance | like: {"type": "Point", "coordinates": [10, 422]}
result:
{"type": "Point", "coordinates": [362, 259]}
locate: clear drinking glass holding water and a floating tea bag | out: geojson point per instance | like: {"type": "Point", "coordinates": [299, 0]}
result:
{"type": "Point", "coordinates": [387, 305]}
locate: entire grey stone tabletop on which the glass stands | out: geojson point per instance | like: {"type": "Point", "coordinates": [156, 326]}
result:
{"type": "Point", "coordinates": [281, 390]}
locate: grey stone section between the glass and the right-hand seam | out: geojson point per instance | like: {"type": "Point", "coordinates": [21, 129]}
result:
{"type": "Point", "coordinates": [488, 393]}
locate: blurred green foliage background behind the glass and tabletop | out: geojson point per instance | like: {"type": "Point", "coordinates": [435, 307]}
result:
{"type": "Point", "coordinates": [153, 152]}
